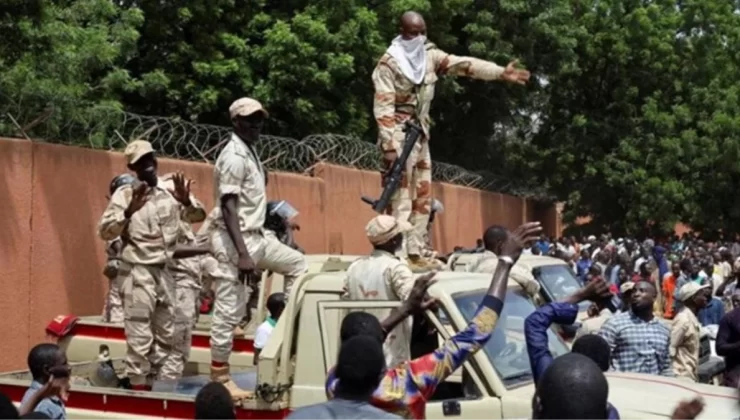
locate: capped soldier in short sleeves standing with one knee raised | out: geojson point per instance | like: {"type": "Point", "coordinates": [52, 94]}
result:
{"type": "Point", "coordinates": [237, 237]}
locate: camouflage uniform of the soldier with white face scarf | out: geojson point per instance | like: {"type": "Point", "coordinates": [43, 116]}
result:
{"type": "Point", "coordinates": [397, 100]}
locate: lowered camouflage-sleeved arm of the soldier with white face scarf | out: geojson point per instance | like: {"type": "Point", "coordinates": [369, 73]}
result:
{"type": "Point", "coordinates": [384, 107]}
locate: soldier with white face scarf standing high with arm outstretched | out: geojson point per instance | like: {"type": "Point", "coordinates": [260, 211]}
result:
{"type": "Point", "coordinates": [404, 80]}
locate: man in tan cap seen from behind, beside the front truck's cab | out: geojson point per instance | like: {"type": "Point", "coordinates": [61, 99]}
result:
{"type": "Point", "coordinates": [384, 276]}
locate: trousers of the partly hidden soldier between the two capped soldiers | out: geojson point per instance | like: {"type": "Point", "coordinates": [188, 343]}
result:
{"type": "Point", "coordinates": [186, 310]}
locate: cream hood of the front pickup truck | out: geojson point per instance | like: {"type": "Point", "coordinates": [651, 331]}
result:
{"type": "Point", "coordinates": [642, 397]}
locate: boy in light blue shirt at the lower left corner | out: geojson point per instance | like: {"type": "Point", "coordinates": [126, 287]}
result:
{"type": "Point", "coordinates": [49, 367]}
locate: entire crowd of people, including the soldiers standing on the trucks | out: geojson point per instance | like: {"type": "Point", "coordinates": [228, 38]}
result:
{"type": "Point", "coordinates": [158, 266]}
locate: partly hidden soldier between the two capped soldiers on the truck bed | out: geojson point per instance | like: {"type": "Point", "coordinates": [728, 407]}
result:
{"type": "Point", "coordinates": [189, 275]}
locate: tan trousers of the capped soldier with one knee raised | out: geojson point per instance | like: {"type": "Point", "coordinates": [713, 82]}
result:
{"type": "Point", "coordinates": [232, 294]}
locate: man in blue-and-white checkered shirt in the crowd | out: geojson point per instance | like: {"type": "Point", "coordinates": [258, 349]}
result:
{"type": "Point", "coordinates": [639, 341]}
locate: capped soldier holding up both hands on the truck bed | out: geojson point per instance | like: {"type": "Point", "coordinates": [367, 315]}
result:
{"type": "Point", "coordinates": [147, 217]}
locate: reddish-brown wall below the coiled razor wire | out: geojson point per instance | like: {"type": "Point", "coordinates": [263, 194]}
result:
{"type": "Point", "coordinates": [51, 197]}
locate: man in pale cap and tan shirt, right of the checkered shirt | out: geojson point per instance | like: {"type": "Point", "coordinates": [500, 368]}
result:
{"type": "Point", "coordinates": [686, 330]}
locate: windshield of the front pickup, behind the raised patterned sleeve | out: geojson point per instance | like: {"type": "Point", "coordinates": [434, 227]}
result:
{"type": "Point", "coordinates": [507, 349]}
